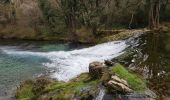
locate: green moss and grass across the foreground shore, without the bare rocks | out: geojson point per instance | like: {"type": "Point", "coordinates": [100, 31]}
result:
{"type": "Point", "coordinates": [45, 89]}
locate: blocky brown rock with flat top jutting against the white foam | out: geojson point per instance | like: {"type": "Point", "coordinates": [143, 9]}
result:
{"type": "Point", "coordinates": [96, 69]}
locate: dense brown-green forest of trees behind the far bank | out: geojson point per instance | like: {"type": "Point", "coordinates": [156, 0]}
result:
{"type": "Point", "coordinates": [74, 19]}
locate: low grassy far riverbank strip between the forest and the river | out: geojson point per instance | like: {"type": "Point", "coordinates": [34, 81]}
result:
{"type": "Point", "coordinates": [101, 37]}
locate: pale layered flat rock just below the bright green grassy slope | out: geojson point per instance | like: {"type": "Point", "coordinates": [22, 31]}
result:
{"type": "Point", "coordinates": [120, 85]}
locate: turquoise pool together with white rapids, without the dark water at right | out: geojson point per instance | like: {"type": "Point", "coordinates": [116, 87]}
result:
{"type": "Point", "coordinates": [24, 60]}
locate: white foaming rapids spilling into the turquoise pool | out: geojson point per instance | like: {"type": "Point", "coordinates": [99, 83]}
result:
{"type": "Point", "coordinates": [69, 64]}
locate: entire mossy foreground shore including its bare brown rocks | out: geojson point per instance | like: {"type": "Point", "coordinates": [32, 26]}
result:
{"type": "Point", "coordinates": [117, 81]}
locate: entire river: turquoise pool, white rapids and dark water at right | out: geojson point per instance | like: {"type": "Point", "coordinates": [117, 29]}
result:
{"type": "Point", "coordinates": [24, 60]}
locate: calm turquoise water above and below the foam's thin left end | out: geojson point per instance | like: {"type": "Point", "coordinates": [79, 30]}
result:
{"type": "Point", "coordinates": [17, 68]}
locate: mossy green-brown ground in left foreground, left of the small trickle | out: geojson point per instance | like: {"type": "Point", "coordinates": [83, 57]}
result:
{"type": "Point", "coordinates": [54, 89]}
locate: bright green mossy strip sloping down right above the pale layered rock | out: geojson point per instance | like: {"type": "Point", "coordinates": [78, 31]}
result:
{"type": "Point", "coordinates": [135, 82]}
